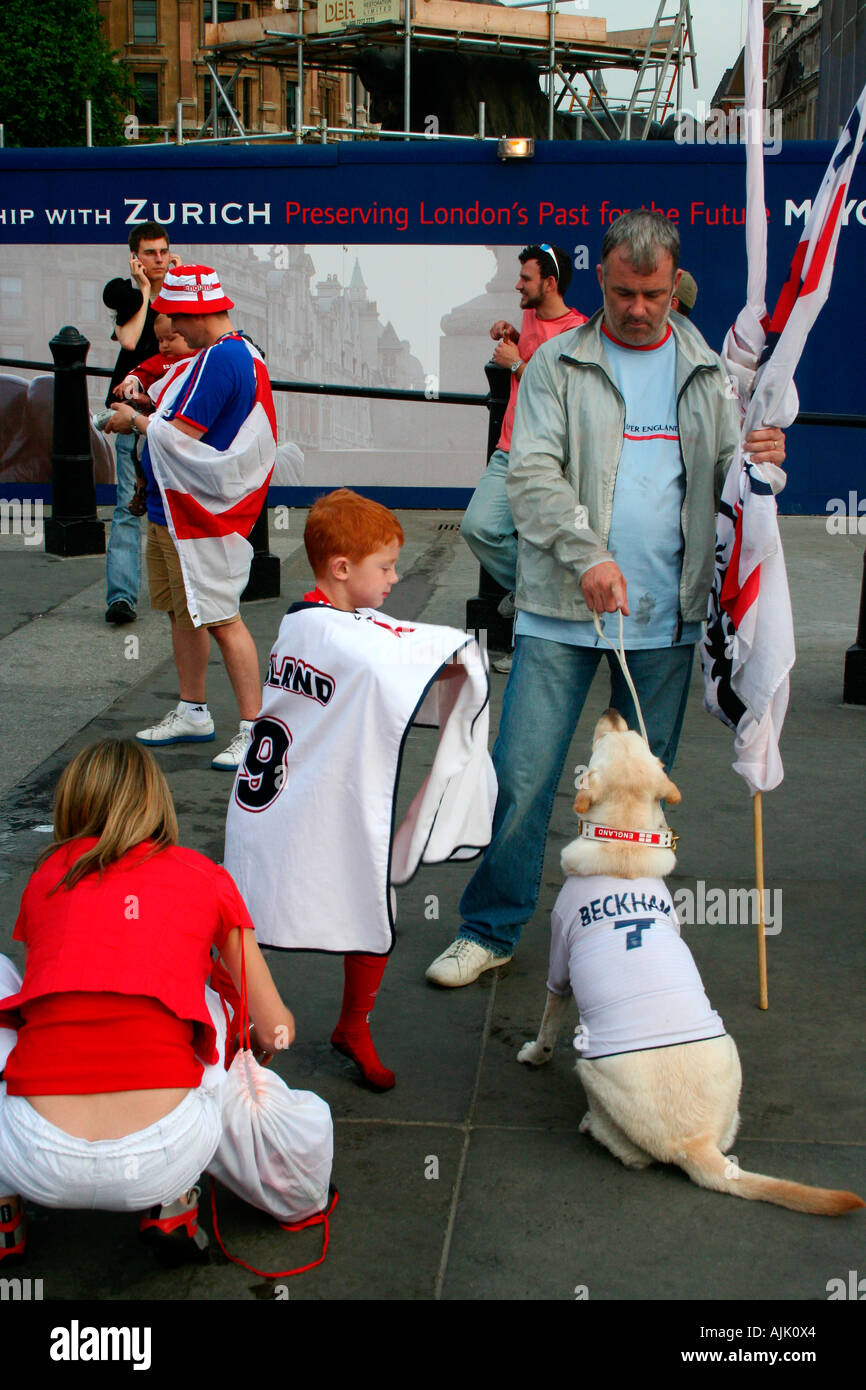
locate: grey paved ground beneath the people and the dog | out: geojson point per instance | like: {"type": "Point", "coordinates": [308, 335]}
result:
{"type": "Point", "coordinates": [471, 1179]}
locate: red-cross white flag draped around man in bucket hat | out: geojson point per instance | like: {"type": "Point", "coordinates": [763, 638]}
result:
{"type": "Point", "coordinates": [213, 497]}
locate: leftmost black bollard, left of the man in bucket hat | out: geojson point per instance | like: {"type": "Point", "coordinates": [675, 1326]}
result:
{"type": "Point", "coordinates": [73, 529]}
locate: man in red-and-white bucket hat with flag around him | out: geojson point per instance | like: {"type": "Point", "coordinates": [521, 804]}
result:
{"type": "Point", "coordinates": [209, 454]}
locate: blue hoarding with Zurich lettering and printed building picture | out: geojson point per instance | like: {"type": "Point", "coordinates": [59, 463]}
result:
{"type": "Point", "coordinates": [415, 250]}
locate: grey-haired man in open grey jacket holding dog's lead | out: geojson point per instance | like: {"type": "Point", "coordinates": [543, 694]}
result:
{"type": "Point", "coordinates": [623, 436]}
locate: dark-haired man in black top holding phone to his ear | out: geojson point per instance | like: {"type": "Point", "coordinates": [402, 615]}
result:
{"type": "Point", "coordinates": [131, 302]}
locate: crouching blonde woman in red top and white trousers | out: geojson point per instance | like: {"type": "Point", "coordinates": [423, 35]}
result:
{"type": "Point", "coordinates": [112, 1050]}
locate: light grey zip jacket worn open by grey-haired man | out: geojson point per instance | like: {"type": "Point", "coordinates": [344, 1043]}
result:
{"type": "Point", "coordinates": [565, 458]}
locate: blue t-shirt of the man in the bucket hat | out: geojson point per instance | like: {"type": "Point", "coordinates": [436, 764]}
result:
{"type": "Point", "coordinates": [218, 395]}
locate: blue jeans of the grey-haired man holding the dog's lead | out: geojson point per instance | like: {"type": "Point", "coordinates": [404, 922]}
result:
{"type": "Point", "coordinates": [543, 704]}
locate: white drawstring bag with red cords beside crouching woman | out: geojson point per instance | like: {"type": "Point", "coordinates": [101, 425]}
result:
{"type": "Point", "coordinates": [277, 1145]}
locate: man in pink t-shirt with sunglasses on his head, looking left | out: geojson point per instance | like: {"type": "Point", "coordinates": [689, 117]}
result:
{"type": "Point", "coordinates": [489, 528]}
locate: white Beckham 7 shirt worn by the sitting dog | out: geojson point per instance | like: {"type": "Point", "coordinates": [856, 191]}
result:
{"type": "Point", "coordinates": [616, 945]}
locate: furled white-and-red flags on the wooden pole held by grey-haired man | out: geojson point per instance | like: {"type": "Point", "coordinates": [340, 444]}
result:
{"type": "Point", "coordinates": [749, 648]}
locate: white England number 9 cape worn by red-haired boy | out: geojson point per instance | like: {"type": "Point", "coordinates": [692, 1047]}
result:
{"type": "Point", "coordinates": [311, 835]}
